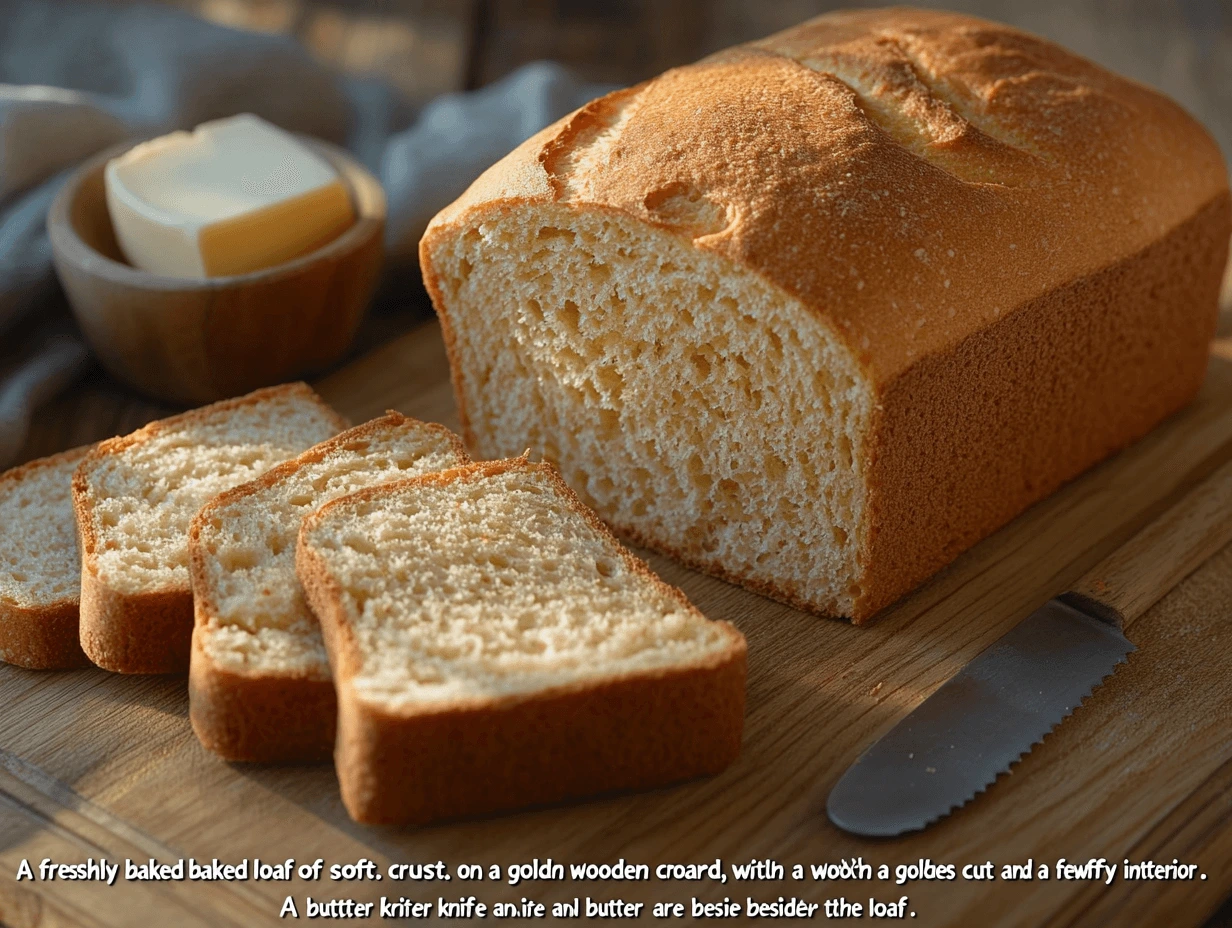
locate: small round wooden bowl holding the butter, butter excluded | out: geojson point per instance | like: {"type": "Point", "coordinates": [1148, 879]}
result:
{"type": "Point", "coordinates": [199, 341]}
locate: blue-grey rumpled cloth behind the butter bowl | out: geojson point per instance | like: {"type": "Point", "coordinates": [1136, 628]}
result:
{"type": "Point", "coordinates": [79, 77]}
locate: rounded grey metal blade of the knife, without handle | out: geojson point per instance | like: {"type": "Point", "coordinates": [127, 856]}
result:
{"type": "Point", "coordinates": [976, 725]}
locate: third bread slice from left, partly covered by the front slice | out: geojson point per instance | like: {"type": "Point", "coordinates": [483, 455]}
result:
{"type": "Point", "coordinates": [259, 683]}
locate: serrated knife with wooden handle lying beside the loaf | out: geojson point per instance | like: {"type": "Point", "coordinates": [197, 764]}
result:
{"type": "Point", "coordinates": [989, 715]}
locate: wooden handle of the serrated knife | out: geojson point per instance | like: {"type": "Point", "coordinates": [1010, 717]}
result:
{"type": "Point", "coordinates": [1132, 580]}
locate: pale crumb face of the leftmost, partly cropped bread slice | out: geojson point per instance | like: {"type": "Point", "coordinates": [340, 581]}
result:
{"type": "Point", "coordinates": [40, 565]}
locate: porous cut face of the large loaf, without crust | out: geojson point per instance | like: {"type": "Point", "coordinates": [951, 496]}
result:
{"type": "Point", "coordinates": [695, 407]}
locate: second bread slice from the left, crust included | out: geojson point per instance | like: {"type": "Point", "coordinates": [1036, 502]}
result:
{"type": "Point", "coordinates": [135, 499]}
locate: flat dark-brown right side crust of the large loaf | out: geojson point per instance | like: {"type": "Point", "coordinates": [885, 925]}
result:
{"type": "Point", "coordinates": [1029, 404]}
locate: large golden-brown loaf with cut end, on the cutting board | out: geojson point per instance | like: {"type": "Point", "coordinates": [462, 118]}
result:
{"type": "Point", "coordinates": [820, 312]}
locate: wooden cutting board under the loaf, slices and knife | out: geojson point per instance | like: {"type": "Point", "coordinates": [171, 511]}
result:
{"type": "Point", "coordinates": [93, 765]}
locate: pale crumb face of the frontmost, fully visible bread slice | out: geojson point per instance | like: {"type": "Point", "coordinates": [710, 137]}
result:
{"type": "Point", "coordinates": [468, 590]}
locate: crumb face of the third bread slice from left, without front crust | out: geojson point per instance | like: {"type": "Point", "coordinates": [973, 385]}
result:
{"type": "Point", "coordinates": [252, 614]}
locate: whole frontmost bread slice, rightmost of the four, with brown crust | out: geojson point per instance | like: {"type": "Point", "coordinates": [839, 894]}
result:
{"type": "Point", "coordinates": [493, 646]}
